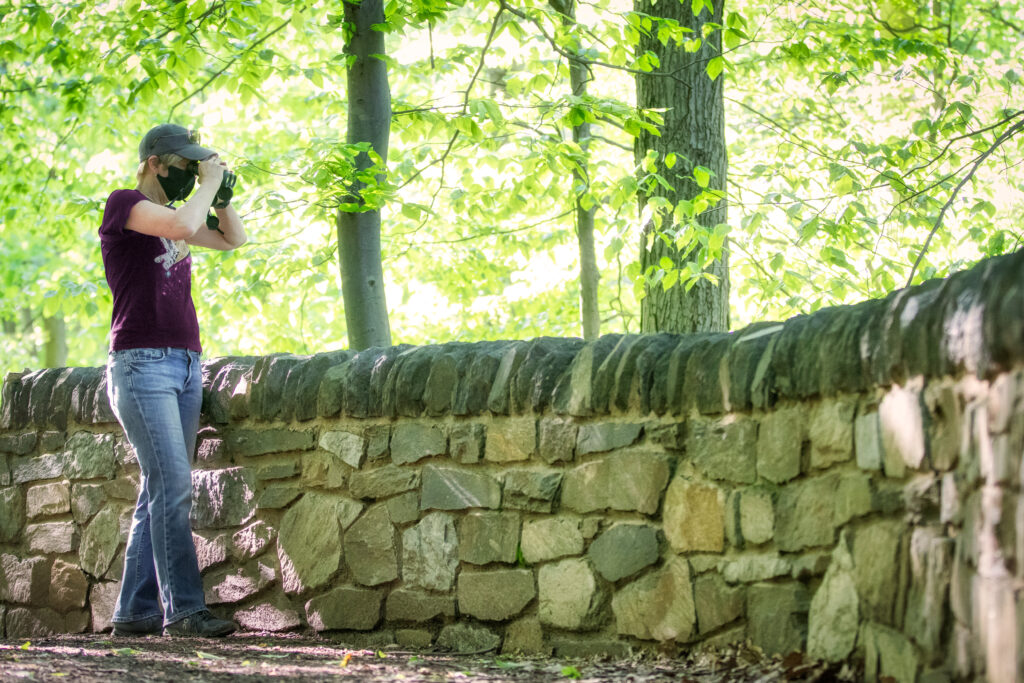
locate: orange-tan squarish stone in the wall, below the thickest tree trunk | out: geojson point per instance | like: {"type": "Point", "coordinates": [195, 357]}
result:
{"type": "Point", "coordinates": [695, 517]}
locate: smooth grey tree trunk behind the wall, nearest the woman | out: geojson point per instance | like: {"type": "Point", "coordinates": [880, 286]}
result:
{"type": "Point", "coordinates": [360, 234]}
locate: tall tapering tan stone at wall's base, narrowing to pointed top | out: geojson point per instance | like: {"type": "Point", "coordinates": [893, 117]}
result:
{"type": "Point", "coordinates": [834, 617]}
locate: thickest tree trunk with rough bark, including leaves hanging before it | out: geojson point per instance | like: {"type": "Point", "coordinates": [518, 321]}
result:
{"type": "Point", "coordinates": [684, 252]}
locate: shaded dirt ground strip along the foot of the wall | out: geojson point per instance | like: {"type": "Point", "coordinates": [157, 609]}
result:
{"type": "Point", "coordinates": [253, 657]}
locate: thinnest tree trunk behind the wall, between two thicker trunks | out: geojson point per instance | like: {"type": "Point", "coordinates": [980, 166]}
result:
{"type": "Point", "coordinates": [589, 275]}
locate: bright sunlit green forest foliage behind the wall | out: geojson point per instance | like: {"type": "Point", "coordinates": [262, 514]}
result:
{"type": "Point", "coordinates": [870, 145]}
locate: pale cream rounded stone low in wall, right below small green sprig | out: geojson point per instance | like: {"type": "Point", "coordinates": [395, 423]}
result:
{"type": "Point", "coordinates": [570, 595]}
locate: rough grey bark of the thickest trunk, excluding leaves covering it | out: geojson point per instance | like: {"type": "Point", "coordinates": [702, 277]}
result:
{"type": "Point", "coordinates": [695, 130]}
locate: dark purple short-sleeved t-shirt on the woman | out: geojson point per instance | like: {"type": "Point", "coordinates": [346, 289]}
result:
{"type": "Point", "coordinates": [151, 280]}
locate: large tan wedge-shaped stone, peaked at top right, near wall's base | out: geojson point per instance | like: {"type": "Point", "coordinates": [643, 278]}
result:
{"type": "Point", "coordinates": [659, 606]}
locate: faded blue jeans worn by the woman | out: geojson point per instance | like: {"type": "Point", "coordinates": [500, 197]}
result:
{"type": "Point", "coordinates": [156, 395]}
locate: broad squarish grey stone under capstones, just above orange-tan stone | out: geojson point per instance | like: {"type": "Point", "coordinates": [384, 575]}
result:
{"type": "Point", "coordinates": [724, 449]}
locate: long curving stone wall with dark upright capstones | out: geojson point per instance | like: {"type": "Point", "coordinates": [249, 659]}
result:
{"type": "Point", "coordinates": [845, 484]}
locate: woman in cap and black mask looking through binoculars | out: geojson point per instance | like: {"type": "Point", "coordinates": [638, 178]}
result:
{"type": "Point", "coordinates": [154, 375]}
